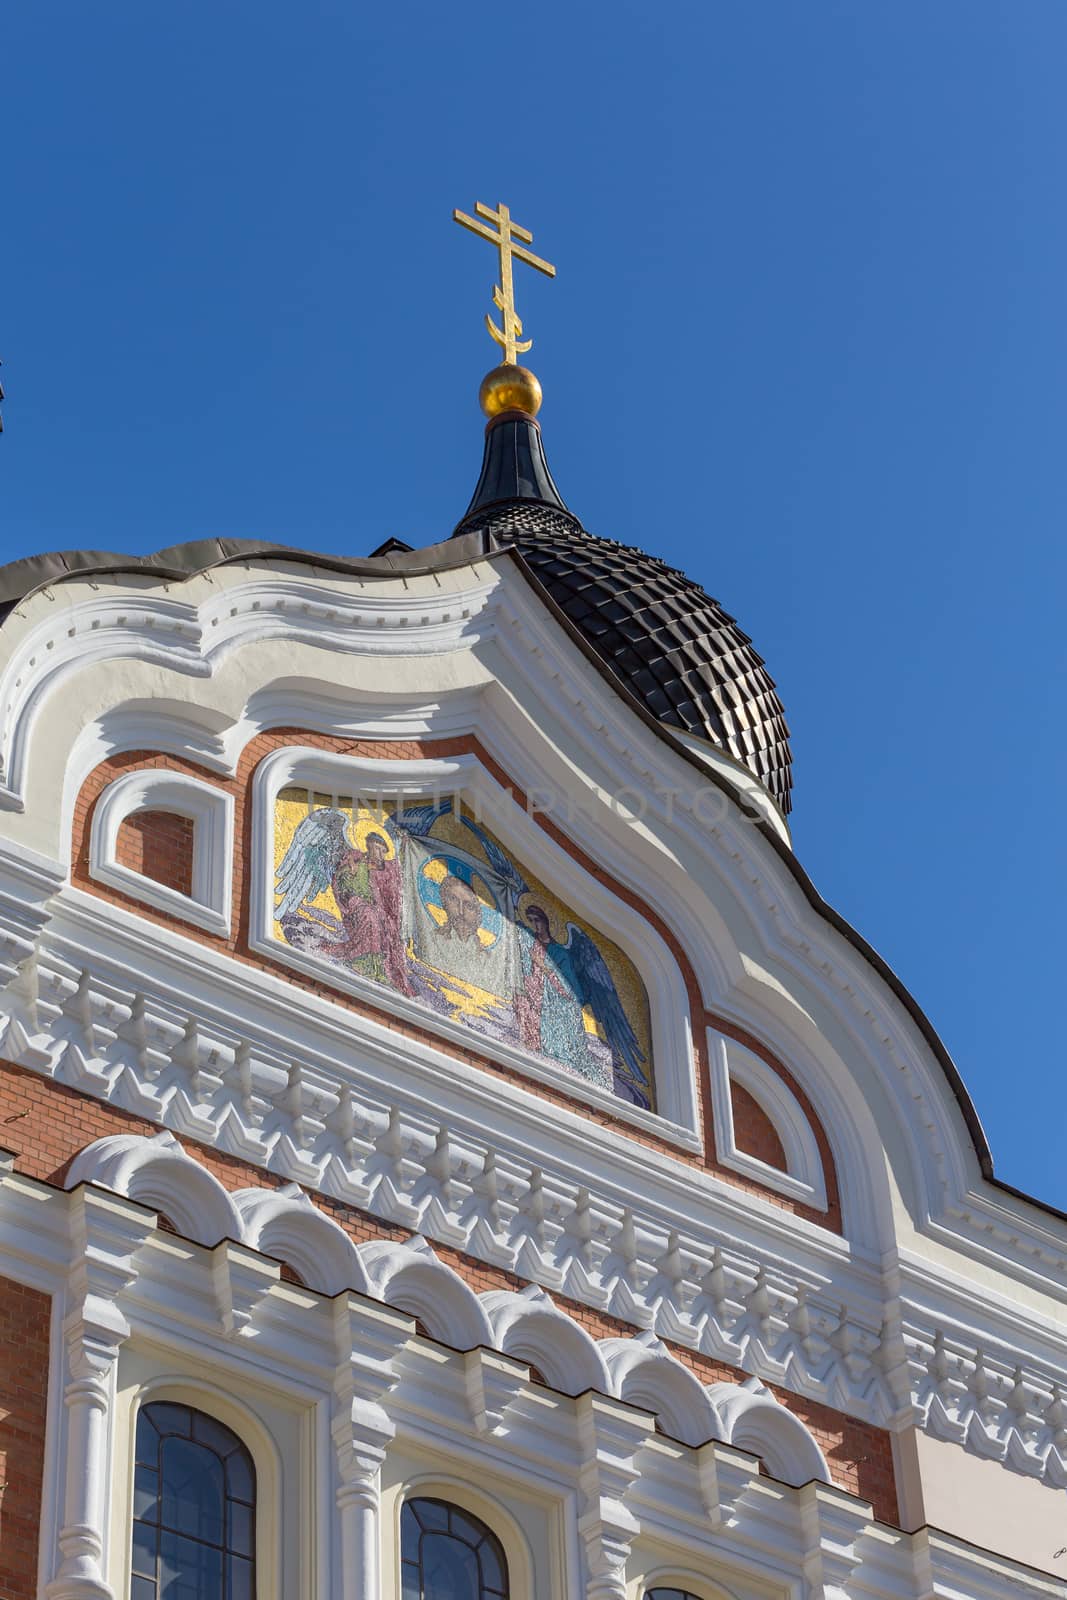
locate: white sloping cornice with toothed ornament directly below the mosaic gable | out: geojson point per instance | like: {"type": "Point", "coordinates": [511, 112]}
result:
{"type": "Point", "coordinates": [462, 1156]}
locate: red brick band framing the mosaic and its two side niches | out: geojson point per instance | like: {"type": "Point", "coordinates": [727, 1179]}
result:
{"type": "Point", "coordinates": [414, 750]}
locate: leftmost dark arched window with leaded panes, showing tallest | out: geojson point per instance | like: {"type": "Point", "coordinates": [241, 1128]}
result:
{"type": "Point", "coordinates": [194, 1505]}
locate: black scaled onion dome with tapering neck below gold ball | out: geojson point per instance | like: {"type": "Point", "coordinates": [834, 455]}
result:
{"type": "Point", "coordinates": [660, 633]}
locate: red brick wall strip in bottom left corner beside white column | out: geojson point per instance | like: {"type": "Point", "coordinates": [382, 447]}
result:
{"type": "Point", "coordinates": [23, 1407]}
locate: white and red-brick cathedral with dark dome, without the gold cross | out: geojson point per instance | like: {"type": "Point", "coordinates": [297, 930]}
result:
{"type": "Point", "coordinates": [449, 1148]}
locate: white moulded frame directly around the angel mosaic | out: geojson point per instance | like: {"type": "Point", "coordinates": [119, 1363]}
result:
{"type": "Point", "coordinates": [677, 1106]}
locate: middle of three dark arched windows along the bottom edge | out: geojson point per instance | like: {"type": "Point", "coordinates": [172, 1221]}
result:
{"type": "Point", "coordinates": [447, 1554]}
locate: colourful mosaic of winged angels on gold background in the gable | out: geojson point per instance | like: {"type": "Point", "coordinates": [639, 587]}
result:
{"type": "Point", "coordinates": [425, 900]}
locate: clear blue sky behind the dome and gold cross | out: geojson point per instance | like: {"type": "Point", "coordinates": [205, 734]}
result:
{"type": "Point", "coordinates": [809, 342]}
